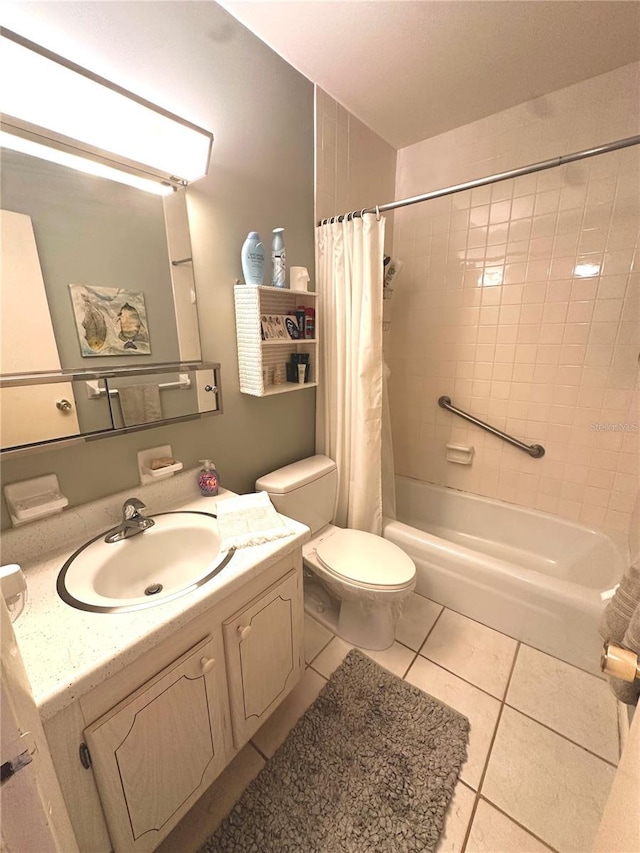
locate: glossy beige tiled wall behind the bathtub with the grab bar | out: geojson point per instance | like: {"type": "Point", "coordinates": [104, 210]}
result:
{"type": "Point", "coordinates": [521, 301]}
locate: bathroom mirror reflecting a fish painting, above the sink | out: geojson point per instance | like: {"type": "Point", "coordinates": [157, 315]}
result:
{"type": "Point", "coordinates": [106, 293]}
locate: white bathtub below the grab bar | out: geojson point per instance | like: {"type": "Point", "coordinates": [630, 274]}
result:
{"type": "Point", "coordinates": [528, 574]}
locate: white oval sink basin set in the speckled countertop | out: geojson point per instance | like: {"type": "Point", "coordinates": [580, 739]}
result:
{"type": "Point", "coordinates": [174, 557]}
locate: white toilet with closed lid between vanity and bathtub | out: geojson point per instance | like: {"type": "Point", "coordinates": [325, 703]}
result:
{"type": "Point", "coordinates": [361, 579]}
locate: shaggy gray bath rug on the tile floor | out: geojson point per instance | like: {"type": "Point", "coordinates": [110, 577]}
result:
{"type": "Point", "coordinates": [369, 768]}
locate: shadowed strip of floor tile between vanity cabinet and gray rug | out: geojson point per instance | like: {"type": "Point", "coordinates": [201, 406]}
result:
{"type": "Point", "coordinates": [214, 805]}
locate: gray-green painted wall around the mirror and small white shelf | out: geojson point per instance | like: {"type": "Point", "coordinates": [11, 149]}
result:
{"type": "Point", "coordinates": [196, 60]}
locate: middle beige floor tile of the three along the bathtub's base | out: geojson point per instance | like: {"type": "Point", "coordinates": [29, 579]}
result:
{"type": "Point", "coordinates": [471, 650]}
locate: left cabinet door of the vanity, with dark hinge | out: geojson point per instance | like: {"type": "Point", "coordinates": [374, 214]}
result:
{"type": "Point", "coordinates": [158, 750]}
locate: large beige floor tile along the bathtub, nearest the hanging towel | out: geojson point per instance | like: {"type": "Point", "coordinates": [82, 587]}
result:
{"type": "Point", "coordinates": [568, 700]}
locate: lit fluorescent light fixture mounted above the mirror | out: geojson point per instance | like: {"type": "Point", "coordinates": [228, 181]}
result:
{"type": "Point", "coordinates": [45, 95]}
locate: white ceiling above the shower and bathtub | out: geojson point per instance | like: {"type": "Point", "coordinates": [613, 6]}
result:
{"type": "Point", "coordinates": [411, 69]}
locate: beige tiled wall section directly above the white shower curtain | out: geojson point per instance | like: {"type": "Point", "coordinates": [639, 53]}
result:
{"type": "Point", "coordinates": [355, 168]}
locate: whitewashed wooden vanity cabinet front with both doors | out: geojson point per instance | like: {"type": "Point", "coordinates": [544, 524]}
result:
{"type": "Point", "coordinates": [159, 731]}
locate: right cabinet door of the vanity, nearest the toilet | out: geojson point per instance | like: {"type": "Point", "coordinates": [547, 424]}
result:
{"type": "Point", "coordinates": [264, 654]}
